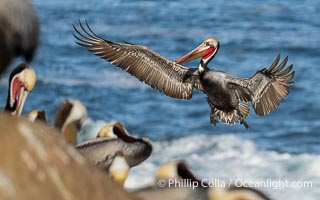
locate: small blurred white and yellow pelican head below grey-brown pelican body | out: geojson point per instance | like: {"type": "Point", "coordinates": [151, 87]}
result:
{"type": "Point", "coordinates": [119, 168]}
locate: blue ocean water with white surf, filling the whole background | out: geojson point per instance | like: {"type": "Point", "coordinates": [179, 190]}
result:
{"type": "Point", "coordinates": [284, 144]}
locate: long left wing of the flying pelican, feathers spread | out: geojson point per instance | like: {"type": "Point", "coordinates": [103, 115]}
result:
{"type": "Point", "coordinates": [150, 68]}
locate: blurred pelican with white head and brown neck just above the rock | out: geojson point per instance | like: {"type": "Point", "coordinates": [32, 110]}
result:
{"type": "Point", "coordinates": [69, 119]}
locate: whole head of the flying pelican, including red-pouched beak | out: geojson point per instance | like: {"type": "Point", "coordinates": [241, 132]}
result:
{"type": "Point", "coordinates": [206, 51]}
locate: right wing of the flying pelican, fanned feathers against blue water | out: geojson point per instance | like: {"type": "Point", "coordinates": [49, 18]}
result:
{"type": "Point", "coordinates": [267, 88]}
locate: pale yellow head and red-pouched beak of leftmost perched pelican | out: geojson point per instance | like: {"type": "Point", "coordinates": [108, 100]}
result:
{"type": "Point", "coordinates": [21, 87]}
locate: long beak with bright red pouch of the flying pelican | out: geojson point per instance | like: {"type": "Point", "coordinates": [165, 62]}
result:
{"type": "Point", "coordinates": [203, 51]}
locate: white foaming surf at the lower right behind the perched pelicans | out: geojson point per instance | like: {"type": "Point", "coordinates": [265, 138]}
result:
{"type": "Point", "coordinates": [229, 157]}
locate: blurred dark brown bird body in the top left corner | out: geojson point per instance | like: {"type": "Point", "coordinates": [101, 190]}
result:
{"type": "Point", "coordinates": [19, 31]}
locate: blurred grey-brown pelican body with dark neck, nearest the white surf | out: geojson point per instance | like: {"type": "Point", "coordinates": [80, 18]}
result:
{"type": "Point", "coordinates": [100, 151]}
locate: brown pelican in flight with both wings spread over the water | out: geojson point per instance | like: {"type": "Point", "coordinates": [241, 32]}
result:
{"type": "Point", "coordinates": [265, 90]}
